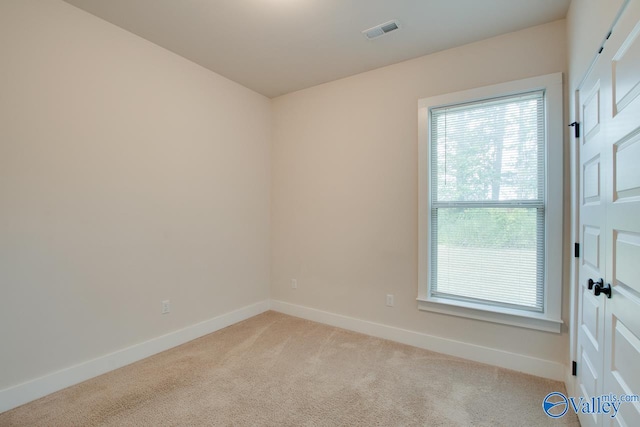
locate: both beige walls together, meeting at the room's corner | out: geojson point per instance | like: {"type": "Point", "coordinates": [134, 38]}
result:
{"type": "Point", "coordinates": [129, 175]}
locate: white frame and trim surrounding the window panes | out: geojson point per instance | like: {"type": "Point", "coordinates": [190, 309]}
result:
{"type": "Point", "coordinates": [550, 318]}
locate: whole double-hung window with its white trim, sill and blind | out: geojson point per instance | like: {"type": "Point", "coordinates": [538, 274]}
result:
{"type": "Point", "coordinates": [490, 218]}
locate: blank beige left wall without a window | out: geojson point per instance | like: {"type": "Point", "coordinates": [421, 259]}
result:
{"type": "Point", "coordinates": [128, 175]}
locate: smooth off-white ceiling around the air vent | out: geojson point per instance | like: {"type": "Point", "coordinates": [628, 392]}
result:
{"type": "Point", "coordinates": [279, 46]}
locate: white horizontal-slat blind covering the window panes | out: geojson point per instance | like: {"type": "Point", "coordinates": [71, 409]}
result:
{"type": "Point", "coordinates": [487, 178]}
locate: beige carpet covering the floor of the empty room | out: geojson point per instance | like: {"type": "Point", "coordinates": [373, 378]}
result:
{"type": "Point", "coordinates": [278, 370]}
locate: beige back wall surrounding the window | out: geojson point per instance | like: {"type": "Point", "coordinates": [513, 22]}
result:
{"type": "Point", "coordinates": [344, 188]}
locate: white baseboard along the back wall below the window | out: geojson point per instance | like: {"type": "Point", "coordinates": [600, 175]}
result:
{"type": "Point", "coordinates": [491, 356]}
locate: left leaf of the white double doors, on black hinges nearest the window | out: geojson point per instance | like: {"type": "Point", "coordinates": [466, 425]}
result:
{"type": "Point", "coordinates": [590, 344]}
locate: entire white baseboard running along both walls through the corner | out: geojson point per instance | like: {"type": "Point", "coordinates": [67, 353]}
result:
{"type": "Point", "coordinates": [28, 391]}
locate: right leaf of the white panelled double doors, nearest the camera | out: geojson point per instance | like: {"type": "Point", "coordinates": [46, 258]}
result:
{"type": "Point", "coordinates": [622, 311]}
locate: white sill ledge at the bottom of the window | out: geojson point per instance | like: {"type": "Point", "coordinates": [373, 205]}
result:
{"type": "Point", "coordinates": [500, 315]}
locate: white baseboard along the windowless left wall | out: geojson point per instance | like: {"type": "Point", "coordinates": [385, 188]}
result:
{"type": "Point", "coordinates": [26, 392]}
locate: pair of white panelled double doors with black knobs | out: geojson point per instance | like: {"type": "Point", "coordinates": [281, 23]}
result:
{"type": "Point", "coordinates": [609, 314]}
